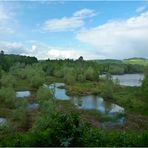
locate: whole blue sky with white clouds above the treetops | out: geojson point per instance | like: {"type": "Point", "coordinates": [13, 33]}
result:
{"type": "Point", "coordinates": [70, 29]}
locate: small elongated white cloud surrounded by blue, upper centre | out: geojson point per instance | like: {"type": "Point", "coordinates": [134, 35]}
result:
{"type": "Point", "coordinates": [68, 23]}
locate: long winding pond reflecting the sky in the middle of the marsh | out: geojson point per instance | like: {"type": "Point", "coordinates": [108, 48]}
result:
{"type": "Point", "coordinates": [89, 102]}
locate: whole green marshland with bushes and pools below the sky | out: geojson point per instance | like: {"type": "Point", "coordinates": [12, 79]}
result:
{"type": "Point", "coordinates": [68, 103]}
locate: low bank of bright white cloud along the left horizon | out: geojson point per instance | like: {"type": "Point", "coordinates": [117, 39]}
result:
{"type": "Point", "coordinates": [44, 51]}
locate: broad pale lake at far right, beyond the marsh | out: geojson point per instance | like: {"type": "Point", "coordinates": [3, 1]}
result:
{"type": "Point", "coordinates": [128, 79]}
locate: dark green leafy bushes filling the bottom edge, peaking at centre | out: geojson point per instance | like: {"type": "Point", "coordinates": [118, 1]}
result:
{"type": "Point", "coordinates": [68, 130]}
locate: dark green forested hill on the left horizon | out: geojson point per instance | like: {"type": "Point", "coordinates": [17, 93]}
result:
{"type": "Point", "coordinates": [7, 60]}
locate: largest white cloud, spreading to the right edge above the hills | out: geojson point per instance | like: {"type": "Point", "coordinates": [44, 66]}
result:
{"type": "Point", "coordinates": [119, 38]}
